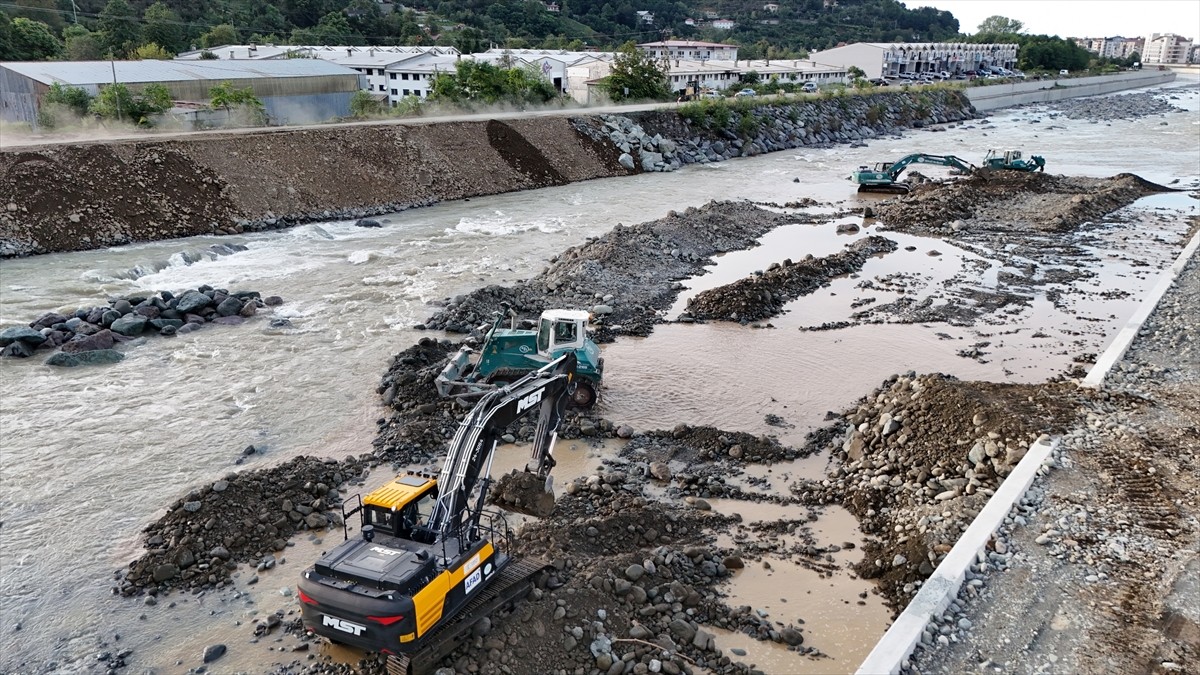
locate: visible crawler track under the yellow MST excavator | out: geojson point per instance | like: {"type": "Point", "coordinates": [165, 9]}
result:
{"type": "Point", "coordinates": [513, 583]}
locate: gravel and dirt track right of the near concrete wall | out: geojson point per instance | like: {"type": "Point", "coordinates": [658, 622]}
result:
{"type": "Point", "coordinates": [1103, 574]}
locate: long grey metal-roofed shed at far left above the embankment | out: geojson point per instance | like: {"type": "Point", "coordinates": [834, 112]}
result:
{"type": "Point", "coordinates": [292, 91]}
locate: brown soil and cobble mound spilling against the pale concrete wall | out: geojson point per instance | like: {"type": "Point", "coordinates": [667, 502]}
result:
{"type": "Point", "coordinates": [921, 458]}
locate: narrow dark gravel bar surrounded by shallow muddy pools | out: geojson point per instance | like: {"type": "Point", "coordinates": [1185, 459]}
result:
{"type": "Point", "coordinates": [764, 296]}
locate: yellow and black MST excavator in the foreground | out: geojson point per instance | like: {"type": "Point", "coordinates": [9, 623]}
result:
{"type": "Point", "coordinates": [431, 561]}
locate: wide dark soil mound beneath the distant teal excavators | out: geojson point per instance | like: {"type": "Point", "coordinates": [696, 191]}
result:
{"type": "Point", "coordinates": [999, 202]}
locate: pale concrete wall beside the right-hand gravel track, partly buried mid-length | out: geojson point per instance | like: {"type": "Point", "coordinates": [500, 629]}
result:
{"type": "Point", "coordinates": [943, 587]}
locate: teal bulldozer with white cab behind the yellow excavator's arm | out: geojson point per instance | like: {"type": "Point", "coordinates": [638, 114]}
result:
{"type": "Point", "coordinates": [508, 355]}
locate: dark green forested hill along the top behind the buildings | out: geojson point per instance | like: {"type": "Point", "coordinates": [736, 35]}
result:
{"type": "Point", "coordinates": [47, 29]}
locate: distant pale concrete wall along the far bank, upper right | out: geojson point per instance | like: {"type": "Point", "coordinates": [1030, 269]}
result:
{"type": "Point", "coordinates": [1004, 95]}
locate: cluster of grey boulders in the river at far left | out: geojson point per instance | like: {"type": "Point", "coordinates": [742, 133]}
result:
{"type": "Point", "coordinates": [91, 334]}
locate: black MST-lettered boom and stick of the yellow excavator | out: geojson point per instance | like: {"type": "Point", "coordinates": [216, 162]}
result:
{"type": "Point", "coordinates": [470, 455]}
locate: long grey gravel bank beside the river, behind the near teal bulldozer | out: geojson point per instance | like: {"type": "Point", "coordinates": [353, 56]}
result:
{"type": "Point", "coordinates": [626, 278]}
